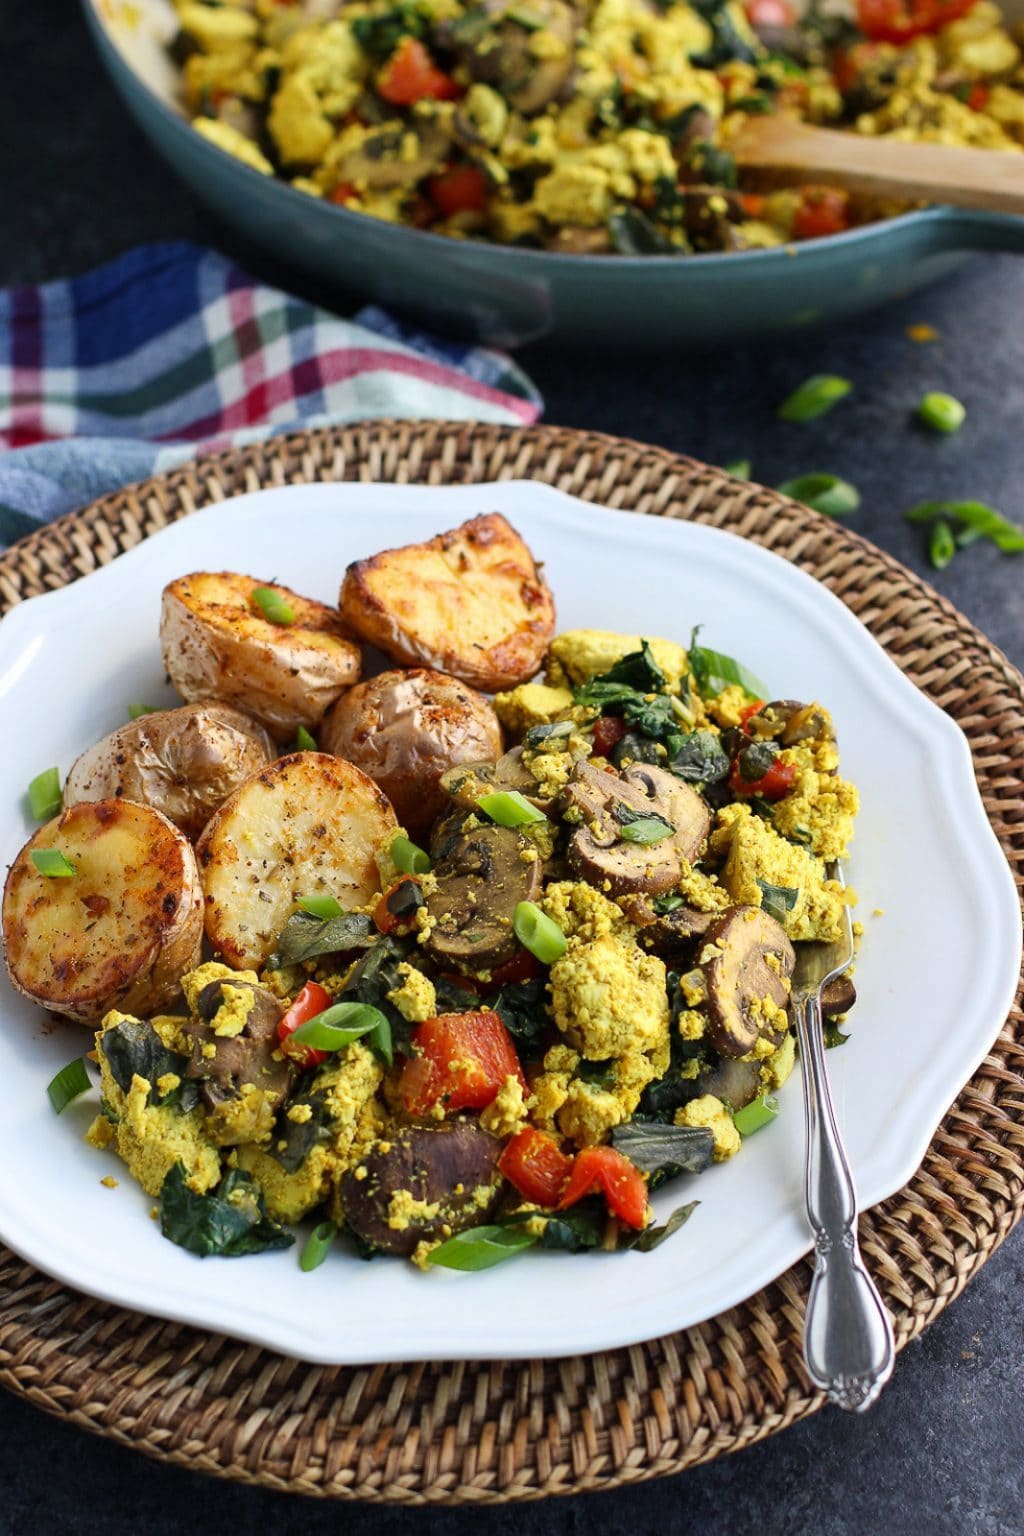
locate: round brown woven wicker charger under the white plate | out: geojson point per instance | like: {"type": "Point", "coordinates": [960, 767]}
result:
{"type": "Point", "coordinates": [518, 1431]}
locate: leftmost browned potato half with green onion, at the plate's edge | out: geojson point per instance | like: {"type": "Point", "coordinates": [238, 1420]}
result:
{"type": "Point", "coordinates": [117, 933]}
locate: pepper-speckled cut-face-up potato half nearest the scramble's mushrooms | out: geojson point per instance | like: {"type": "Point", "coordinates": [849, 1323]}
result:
{"type": "Point", "coordinates": [308, 826]}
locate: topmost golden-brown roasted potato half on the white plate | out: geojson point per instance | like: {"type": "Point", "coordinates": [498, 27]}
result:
{"type": "Point", "coordinates": [471, 603]}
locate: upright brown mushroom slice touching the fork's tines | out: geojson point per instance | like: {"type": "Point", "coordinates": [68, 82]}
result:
{"type": "Point", "coordinates": [741, 975]}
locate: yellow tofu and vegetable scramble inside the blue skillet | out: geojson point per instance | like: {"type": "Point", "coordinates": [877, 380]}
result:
{"type": "Point", "coordinates": [589, 128]}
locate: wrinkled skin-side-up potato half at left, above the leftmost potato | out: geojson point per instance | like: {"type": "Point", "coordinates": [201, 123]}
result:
{"type": "Point", "coordinates": [183, 763]}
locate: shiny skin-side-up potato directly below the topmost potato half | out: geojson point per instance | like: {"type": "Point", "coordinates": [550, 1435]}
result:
{"type": "Point", "coordinates": [406, 729]}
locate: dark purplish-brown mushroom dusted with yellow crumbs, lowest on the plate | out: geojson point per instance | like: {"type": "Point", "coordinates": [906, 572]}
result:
{"type": "Point", "coordinates": [421, 1183]}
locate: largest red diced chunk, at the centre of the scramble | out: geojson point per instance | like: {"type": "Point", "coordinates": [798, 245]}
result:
{"type": "Point", "coordinates": [461, 1062]}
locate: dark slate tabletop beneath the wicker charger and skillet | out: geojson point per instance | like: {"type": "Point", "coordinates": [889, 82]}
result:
{"type": "Point", "coordinates": [942, 1452]}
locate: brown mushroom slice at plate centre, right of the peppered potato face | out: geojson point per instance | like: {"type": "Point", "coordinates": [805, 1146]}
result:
{"type": "Point", "coordinates": [481, 881]}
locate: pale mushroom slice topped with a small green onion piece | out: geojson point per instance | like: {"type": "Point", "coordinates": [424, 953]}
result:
{"type": "Point", "coordinates": [598, 850]}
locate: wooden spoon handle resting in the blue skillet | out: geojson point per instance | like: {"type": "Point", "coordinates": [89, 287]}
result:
{"type": "Point", "coordinates": [985, 179]}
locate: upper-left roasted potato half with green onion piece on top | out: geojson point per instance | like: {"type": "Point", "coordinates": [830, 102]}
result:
{"type": "Point", "coordinates": [217, 644]}
